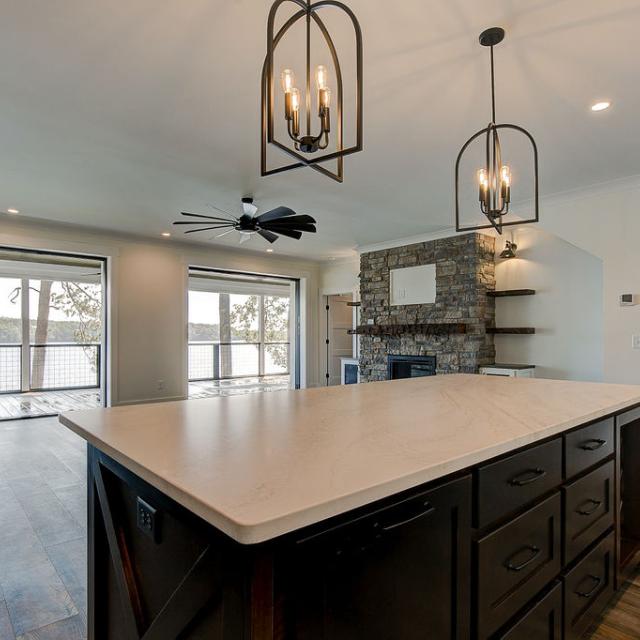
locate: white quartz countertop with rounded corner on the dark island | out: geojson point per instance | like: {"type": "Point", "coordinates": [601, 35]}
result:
{"type": "Point", "coordinates": [264, 464]}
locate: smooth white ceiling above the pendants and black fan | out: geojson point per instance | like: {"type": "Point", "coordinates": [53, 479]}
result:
{"type": "Point", "coordinates": [118, 114]}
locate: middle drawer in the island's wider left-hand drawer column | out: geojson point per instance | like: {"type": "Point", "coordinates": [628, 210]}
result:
{"type": "Point", "coordinates": [516, 562]}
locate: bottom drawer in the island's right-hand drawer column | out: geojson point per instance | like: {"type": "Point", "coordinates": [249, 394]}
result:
{"type": "Point", "coordinates": [587, 588]}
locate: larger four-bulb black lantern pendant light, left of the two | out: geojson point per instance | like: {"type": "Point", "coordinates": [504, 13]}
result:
{"type": "Point", "coordinates": [311, 105]}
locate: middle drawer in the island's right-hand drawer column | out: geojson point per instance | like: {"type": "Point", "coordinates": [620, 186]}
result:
{"type": "Point", "coordinates": [588, 510]}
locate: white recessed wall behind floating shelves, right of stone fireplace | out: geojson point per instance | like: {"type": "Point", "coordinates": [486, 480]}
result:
{"type": "Point", "coordinates": [566, 310]}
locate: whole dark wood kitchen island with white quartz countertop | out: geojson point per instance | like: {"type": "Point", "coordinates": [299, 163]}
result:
{"type": "Point", "coordinates": [454, 506]}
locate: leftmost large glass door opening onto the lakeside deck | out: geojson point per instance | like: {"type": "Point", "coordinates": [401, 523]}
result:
{"type": "Point", "coordinates": [51, 334]}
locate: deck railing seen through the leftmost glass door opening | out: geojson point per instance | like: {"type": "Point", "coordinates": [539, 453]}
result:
{"type": "Point", "coordinates": [52, 366]}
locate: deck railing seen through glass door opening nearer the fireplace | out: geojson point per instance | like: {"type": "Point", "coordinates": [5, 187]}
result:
{"type": "Point", "coordinates": [226, 360]}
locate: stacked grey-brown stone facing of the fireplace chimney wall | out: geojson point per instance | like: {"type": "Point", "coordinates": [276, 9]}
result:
{"type": "Point", "coordinates": [465, 271]}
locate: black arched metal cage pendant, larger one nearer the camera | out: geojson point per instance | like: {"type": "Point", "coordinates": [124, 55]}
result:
{"type": "Point", "coordinates": [308, 146]}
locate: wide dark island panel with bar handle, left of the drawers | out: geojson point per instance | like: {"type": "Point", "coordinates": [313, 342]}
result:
{"type": "Point", "coordinates": [401, 572]}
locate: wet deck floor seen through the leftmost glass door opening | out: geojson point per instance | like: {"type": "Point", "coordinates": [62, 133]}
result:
{"type": "Point", "coordinates": [36, 404]}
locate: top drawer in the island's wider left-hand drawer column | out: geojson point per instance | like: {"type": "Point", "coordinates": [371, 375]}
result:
{"type": "Point", "coordinates": [511, 483]}
